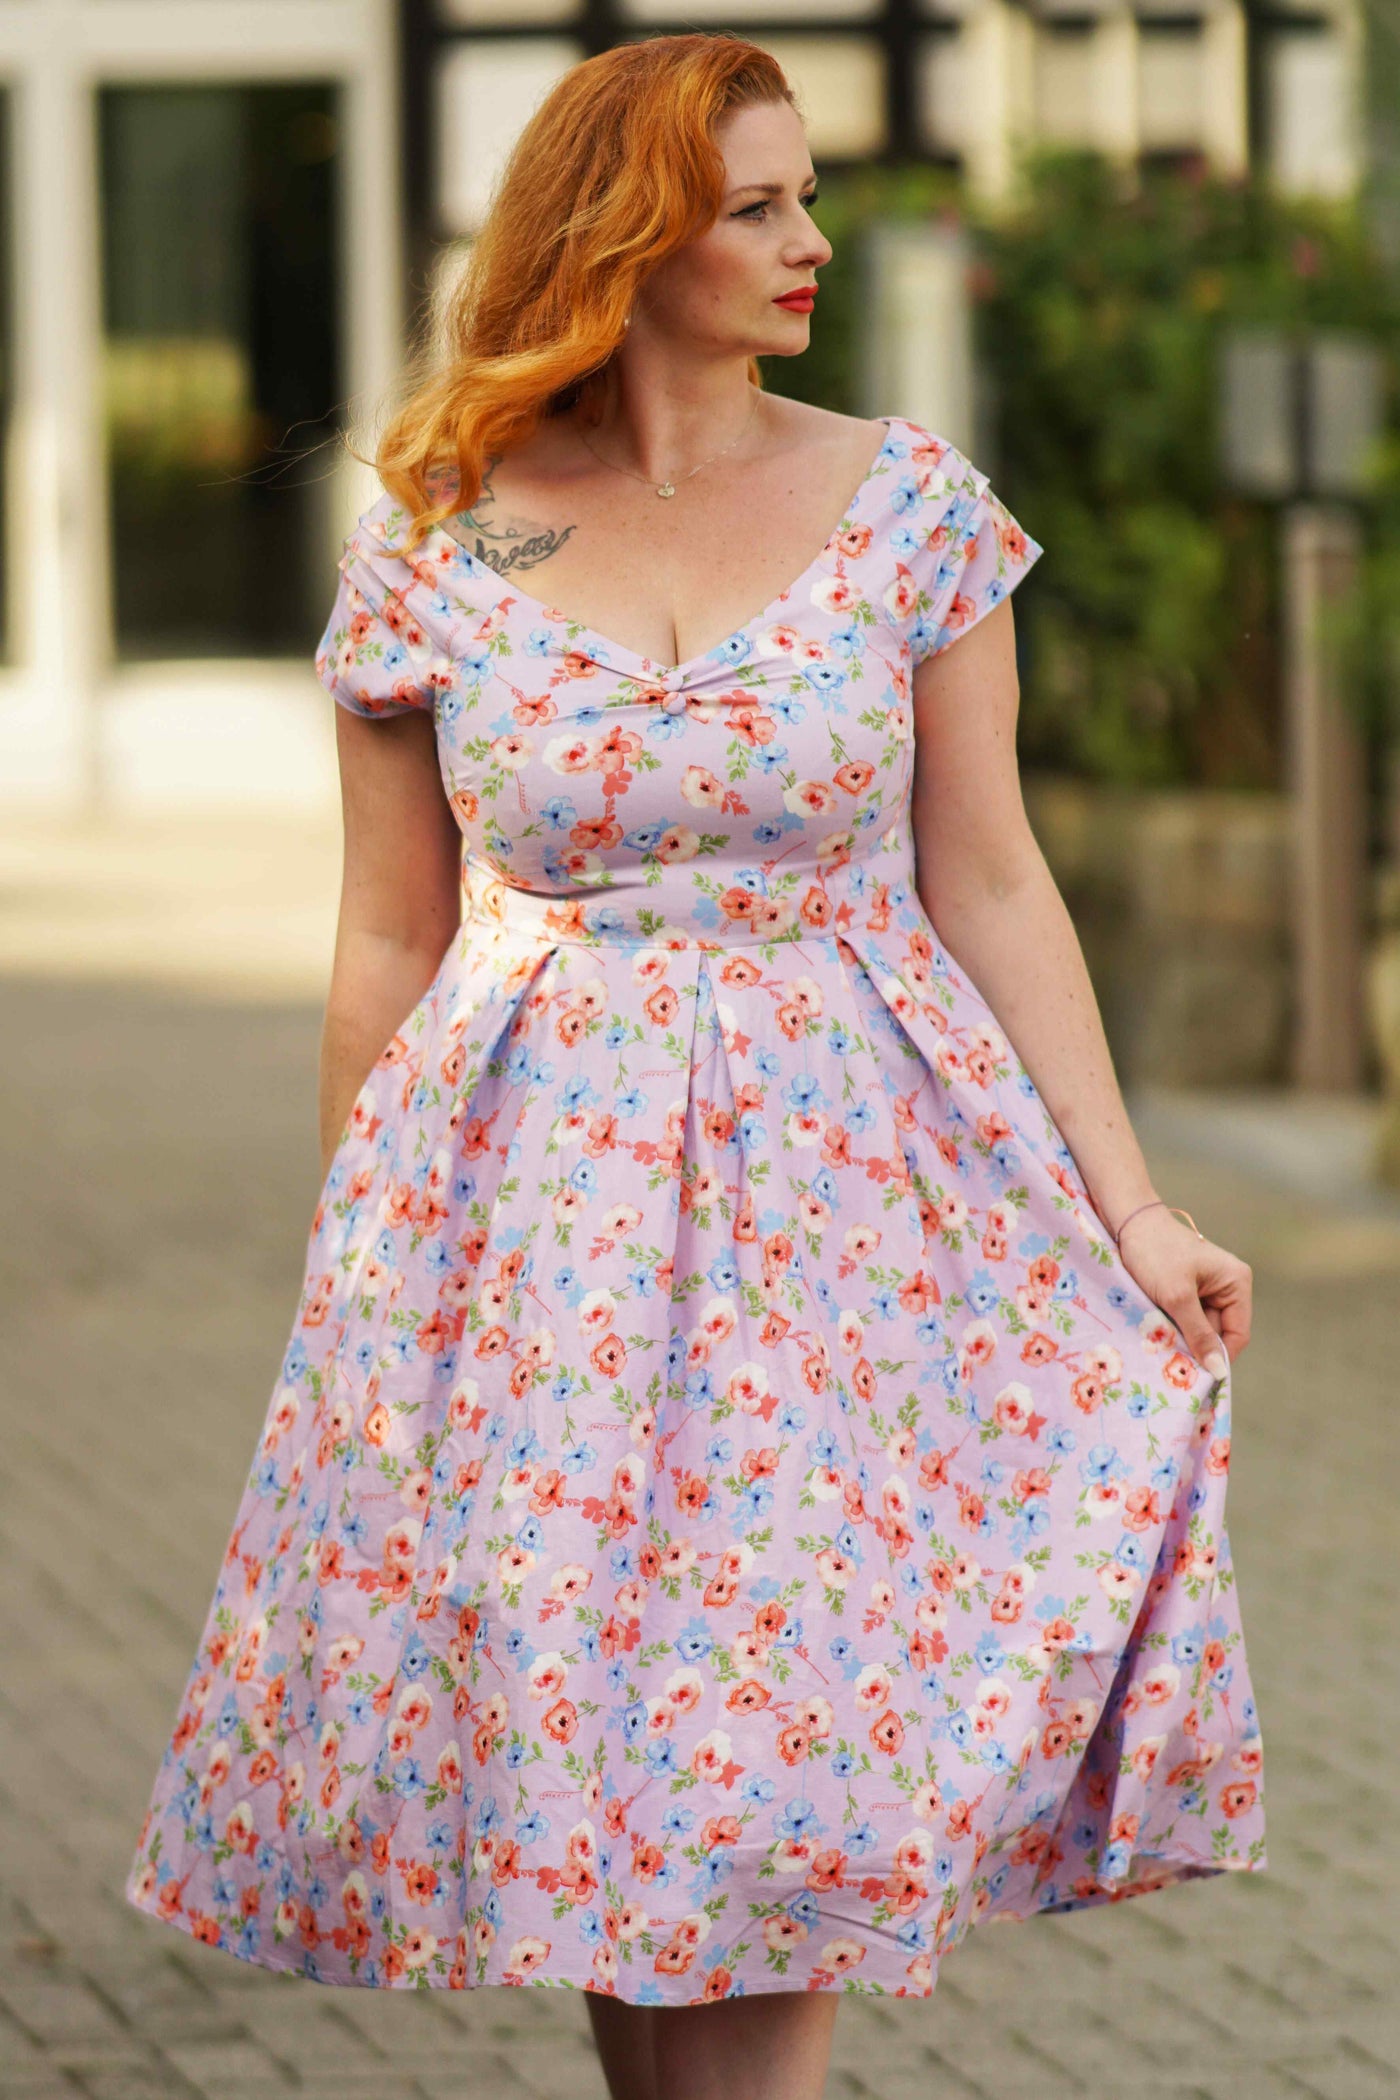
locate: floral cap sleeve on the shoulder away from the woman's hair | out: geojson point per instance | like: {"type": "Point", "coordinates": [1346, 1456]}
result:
{"type": "Point", "coordinates": [960, 549]}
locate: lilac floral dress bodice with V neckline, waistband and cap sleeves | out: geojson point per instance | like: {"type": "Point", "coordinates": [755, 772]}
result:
{"type": "Point", "coordinates": [755, 793]}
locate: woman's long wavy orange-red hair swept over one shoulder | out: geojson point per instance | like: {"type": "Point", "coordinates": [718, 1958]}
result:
{"type": "Point", "coordinates": [614, 173]}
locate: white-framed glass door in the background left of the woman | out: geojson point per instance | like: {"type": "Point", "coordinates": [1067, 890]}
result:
{"type": "Point", "coordinates": [205, 287]}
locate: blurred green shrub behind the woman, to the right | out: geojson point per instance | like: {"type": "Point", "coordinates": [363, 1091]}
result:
{"type": "Point", "coordinates": [1151, 625]}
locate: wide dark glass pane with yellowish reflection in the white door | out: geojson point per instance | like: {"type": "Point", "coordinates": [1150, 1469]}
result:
{"type": "Point", "coordinates": [221, 362]}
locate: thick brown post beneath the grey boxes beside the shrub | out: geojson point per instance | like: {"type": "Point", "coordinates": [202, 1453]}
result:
{"type": "Point", "coordinates": [1330, 803]}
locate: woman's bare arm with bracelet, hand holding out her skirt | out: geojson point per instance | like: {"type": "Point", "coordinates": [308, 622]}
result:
{"type": "Point", "coordinates": [996, 906]}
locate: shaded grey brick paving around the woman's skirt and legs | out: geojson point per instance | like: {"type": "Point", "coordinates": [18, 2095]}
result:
{"type": "Point", "coordinates": [161, 1171]}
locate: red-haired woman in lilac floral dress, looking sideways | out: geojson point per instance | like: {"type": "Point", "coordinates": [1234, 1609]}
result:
{"type": "Point", "coordinates": [746, 1490]}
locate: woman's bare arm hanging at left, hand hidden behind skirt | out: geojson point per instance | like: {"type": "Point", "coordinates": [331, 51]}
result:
{"type": "Point", "coordinates": [400, 900]}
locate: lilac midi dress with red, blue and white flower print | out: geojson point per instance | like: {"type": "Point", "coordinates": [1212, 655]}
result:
{"type": "Point", "coordinates": [727, 1521]}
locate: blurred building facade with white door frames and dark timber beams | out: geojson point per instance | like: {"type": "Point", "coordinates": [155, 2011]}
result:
{"type": "Point", "coordinates": [219, 217]}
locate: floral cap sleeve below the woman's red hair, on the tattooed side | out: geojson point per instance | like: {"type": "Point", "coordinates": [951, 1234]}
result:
{"type": "Point", "coordinates": [375, 656]}
